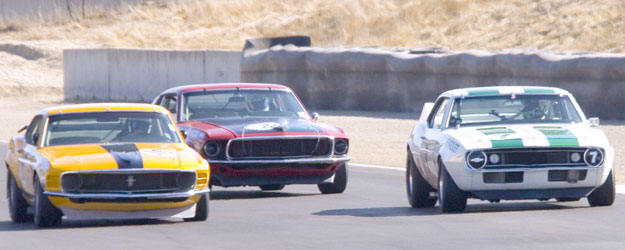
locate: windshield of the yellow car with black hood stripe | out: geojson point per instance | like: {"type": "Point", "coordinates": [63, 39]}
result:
{"type": "Point", "coordinates": [110, 127]}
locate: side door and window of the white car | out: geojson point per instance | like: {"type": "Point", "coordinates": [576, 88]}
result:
{"type": "Point", "coordinates": [431, 143]}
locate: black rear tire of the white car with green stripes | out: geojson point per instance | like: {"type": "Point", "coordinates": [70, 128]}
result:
{"type": "Point", "coordinates": [417, 188]}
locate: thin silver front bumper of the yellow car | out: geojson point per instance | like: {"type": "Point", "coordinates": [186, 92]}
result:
{"type": "Point", "coordinates": [112, 196]}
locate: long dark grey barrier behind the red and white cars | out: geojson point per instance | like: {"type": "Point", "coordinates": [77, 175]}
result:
{"type": "Point", "coordinates": [382, 80]}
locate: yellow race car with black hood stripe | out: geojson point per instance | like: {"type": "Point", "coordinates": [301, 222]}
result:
{"type": "Point", "coordinates": [104, 161]}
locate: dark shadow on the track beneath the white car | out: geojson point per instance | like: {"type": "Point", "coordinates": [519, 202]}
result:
{"type": "Point", "coordinates": [471, 208]}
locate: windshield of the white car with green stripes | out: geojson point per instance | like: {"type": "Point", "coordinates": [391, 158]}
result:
{"type": "Point", "coordinates": [493, 110]}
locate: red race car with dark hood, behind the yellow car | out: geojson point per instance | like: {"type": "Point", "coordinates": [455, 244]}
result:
{"type": "Point", "coordinates": [259, 135]}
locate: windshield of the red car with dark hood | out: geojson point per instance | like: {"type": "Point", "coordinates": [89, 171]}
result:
{"type": "Point", "coordinates": [202, 105]}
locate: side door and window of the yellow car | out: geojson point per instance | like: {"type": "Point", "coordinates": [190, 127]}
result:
{"type": "Point", "coordinates": [27, 160]}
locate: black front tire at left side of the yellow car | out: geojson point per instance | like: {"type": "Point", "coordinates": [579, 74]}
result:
{"type": "Point", "coordinates": [45, 214]}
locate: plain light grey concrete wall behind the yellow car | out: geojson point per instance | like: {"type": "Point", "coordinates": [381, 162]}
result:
{"type": "Point", "coordinates": [140, 75]}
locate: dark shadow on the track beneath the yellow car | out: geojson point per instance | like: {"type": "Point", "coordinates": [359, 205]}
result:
{"type": "Point", "coordinates": [68, 224]}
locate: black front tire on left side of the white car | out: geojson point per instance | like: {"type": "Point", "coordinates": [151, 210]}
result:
{"type": "Point", "coordinates": [451, 198]}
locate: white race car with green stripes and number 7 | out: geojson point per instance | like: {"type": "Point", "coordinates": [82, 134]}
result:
{"type": "Point", "coordinates": [507, 143]}
